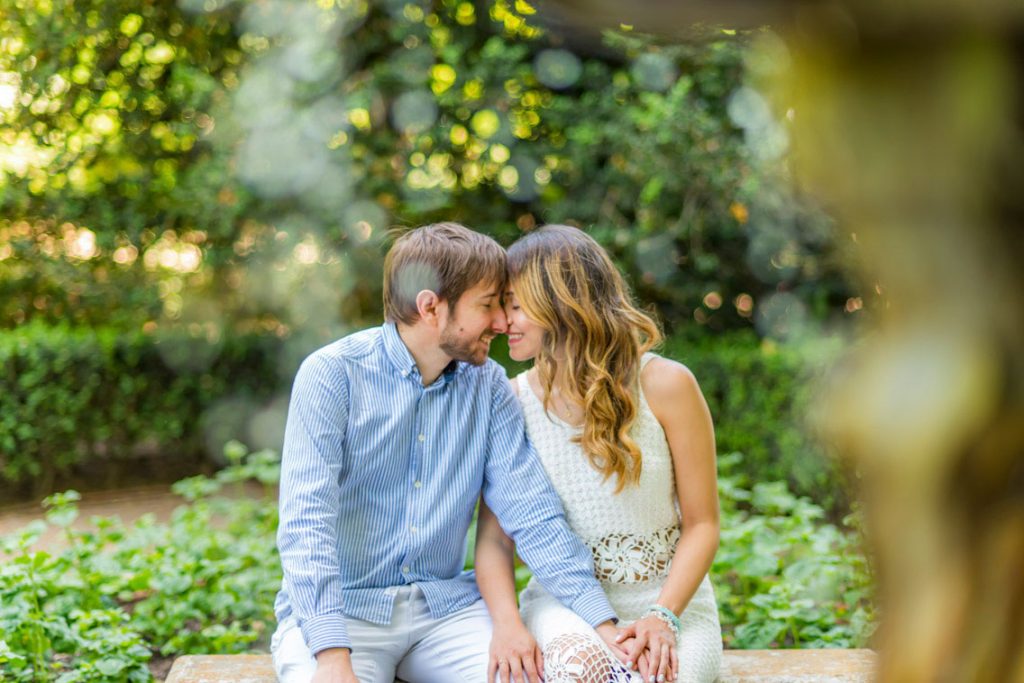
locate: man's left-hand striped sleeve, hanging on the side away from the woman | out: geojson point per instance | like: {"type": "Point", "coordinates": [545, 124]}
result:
{"type": "Point", "coordinates": [312, 462]}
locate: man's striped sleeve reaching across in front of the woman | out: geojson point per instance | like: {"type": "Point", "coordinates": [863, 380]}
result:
{"type": "Point", "coordinates": [518, 490]}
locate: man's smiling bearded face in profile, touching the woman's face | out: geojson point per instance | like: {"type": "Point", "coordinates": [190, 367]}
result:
{"type": "Point", "coordinates": [473, 323]}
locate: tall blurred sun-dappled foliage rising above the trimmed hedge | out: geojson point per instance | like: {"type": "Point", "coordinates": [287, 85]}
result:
{"type": "Point", "coordinates": [165, 156]}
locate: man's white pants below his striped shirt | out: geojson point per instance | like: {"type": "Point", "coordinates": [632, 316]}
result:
{"type": "Point", "coordinates": [414, 647]}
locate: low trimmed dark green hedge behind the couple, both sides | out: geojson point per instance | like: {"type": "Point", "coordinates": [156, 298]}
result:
{"type": "Point", "coordinates": [75, 398]}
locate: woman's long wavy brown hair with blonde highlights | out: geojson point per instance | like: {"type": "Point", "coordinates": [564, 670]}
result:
{"type": "Point", "coordinates": [594, 337]}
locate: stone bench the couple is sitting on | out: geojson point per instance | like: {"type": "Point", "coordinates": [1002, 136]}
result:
{"type": "Point", "coordinates": [826, 666]}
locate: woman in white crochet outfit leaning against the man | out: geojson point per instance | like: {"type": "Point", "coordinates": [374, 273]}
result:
{"type": "Point", "coordinates": [627, 440]}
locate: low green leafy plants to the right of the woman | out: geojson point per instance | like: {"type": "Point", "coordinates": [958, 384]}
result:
{"type": "Point", "coordinates": [783, 577]}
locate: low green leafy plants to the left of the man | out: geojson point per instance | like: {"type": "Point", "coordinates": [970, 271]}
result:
{"type": "Point", "coordinates": [117, 595]}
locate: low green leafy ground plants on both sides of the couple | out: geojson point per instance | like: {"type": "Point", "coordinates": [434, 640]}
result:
{"type": "Point", "coordinates": [205, 582]}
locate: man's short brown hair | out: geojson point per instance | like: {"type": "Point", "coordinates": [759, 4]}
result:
{"type": "Point", "coordinates": [446, 259]}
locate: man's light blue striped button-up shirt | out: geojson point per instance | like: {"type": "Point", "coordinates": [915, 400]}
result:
{"type": "Point", "coordinates": [380, 477]}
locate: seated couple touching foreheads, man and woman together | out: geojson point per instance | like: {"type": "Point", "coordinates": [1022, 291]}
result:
{"type": "Point", "coordinates": [394, 434]}
